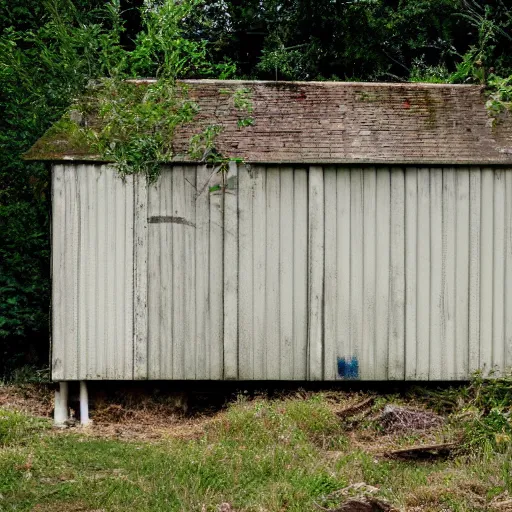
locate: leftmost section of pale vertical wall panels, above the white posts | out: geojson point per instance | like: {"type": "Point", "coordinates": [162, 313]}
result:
{"type": "Point", "coordinates": [92, 273]}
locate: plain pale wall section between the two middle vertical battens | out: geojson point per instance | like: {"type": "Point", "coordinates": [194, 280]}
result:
{"type": "Point", "coordinates": [272, 278]}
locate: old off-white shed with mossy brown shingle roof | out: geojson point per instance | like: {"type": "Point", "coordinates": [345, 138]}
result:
{"type": "Point", "coordinates": [366, 235]}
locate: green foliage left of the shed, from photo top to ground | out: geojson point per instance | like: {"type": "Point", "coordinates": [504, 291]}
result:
{"type": "Point", "coordinates": [47, 55]}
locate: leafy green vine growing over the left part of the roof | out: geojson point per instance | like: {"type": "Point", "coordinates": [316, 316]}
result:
{"type": "Point", "coordinates": [135, 120]}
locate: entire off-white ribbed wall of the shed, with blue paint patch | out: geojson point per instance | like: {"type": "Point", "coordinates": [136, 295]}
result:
{"type": "Point", "coordinates": [292, 273]}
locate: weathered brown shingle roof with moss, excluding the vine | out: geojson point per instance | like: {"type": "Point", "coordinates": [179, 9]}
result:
{"type": "Point", "coordinates": [337, 122]}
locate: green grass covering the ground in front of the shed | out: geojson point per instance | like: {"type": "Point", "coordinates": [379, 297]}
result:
{"type": "Point", "coordinates": [283, 454]}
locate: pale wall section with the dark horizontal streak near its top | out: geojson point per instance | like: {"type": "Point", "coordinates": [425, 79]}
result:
{"type": "Point", "coordinates": [185, 275]}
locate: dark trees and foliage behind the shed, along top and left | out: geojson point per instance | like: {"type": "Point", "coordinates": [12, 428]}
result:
{"type": "Point", "coordinates": [49, 50]}
